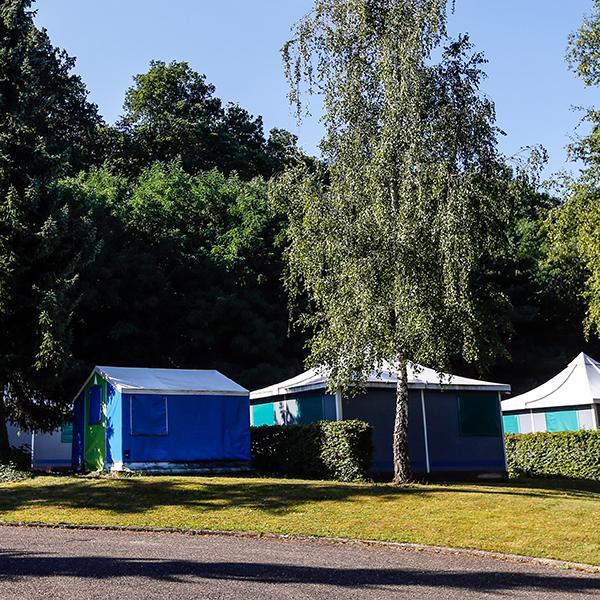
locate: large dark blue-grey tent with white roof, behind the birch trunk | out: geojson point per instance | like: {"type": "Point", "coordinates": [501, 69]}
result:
{"type": "Point", "coordinates": [455, 425]}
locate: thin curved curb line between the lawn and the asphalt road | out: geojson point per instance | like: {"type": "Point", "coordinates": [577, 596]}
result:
{"type": "Point", "coordinates": [413, 547]}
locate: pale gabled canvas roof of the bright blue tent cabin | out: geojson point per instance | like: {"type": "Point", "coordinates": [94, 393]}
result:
{"type": "Point", "coordinates": [170, 381]}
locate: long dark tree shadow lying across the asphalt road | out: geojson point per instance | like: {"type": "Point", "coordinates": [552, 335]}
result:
{"type": "Point", "coordinates": [16, 566]}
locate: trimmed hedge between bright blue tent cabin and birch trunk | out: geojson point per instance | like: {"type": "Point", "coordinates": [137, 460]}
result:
{"type": "Point", "coordinates": [338, 450]}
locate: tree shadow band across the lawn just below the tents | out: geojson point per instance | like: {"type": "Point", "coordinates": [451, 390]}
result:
{"type": "Point", "coordinates": [138, 495]}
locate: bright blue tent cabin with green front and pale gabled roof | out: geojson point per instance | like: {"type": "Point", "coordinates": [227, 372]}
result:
{"type": "Point", "coordinates": [156, 420]}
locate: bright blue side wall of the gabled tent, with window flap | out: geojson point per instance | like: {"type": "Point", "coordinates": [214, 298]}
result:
{"type": "Point", "coordinates": [199, 428]}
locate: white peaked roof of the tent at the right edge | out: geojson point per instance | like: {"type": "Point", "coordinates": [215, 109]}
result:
{"type": "Point", "coordinates": [578, 383]}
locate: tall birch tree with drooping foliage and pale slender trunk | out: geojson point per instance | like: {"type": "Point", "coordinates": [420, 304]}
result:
{"type": "Point", "coordinates": [390, 242]}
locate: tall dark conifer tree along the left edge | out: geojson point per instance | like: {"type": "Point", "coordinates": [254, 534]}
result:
{"type": "Point", "coordinates": [47, 129]}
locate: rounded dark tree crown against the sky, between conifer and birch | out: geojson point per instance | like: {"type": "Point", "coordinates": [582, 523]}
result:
{"type": "Point", "coordinates": [171, 113]}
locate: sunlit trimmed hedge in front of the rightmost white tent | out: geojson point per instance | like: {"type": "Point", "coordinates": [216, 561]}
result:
{"type": "Point", "coordinates": [569, 454]}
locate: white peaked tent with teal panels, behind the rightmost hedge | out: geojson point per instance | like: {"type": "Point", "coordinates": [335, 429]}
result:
{"type": "Point", "coordinates": [576, 389]}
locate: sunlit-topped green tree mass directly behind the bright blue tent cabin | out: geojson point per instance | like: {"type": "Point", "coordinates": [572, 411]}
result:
{"type": "Point", "coordinates": [188, 276]}
